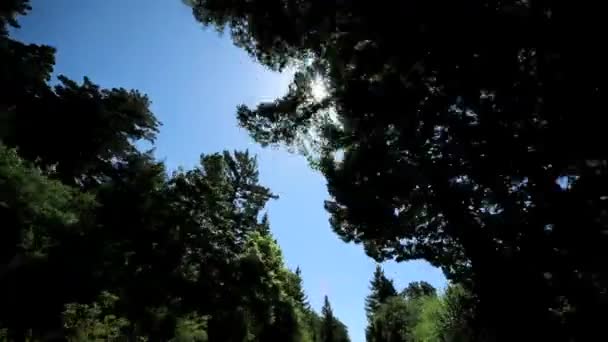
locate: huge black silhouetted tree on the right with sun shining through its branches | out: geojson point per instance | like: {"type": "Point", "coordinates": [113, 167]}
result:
{"type": "Point", "coordinates": [486, 162]}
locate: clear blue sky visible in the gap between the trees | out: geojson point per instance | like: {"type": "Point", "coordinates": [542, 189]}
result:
{"type": "Point", "coordinates": [195, 79]}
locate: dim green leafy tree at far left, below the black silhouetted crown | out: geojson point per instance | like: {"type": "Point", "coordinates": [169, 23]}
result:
{"type": "Point", "coordinates": [41, 222]}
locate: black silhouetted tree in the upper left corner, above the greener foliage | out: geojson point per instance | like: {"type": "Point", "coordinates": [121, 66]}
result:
{"type": "Point", "coordinates": [80, 130]}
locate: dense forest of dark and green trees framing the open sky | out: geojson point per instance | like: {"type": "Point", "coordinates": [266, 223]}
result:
{"type": "Point", "coordinates": [486, 162]}
